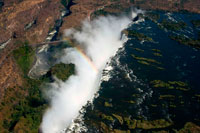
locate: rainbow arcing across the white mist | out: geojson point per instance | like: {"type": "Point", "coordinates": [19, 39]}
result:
{"type": "Point", "coordinates": [82, 54]}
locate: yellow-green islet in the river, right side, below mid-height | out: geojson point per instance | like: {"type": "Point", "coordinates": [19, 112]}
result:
{"type": "Point", "coordinates": [178, 85]}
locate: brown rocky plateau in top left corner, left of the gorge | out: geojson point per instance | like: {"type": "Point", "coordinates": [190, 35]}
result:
{"type": "Point", "coordinates": [23, 15]}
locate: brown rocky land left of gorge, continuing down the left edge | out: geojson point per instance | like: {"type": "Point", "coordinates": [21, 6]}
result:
{"type": "Point", "coordinates": [19, 21]}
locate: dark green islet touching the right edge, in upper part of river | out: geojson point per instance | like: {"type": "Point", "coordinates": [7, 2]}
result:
{"type": "Point", "coordinates": [187, 41]}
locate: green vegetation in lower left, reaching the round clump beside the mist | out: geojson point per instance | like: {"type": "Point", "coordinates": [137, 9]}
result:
{"type": "Point", "coordinates": [21, 108]}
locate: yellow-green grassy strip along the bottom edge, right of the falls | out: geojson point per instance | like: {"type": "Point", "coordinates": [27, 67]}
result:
{"type": "Point", "coordinates": [102, 122]}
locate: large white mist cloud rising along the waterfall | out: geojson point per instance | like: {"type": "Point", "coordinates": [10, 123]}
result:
{"type": "Point", "coordinates": [100, 40]}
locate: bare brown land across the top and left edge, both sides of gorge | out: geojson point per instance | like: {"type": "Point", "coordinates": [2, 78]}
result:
{"type": "Point", "coordinates": [32, 20]}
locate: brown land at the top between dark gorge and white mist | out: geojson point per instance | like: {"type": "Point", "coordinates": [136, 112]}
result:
{"type": "Point", "coordinates": [82, 9]}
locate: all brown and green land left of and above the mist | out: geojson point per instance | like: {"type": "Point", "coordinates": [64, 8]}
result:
{"type": "Point", "coordinates": [36, 21]}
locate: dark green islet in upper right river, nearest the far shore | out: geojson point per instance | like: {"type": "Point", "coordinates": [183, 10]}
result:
{"type": "Point", "coordinates": [173, 25]}
